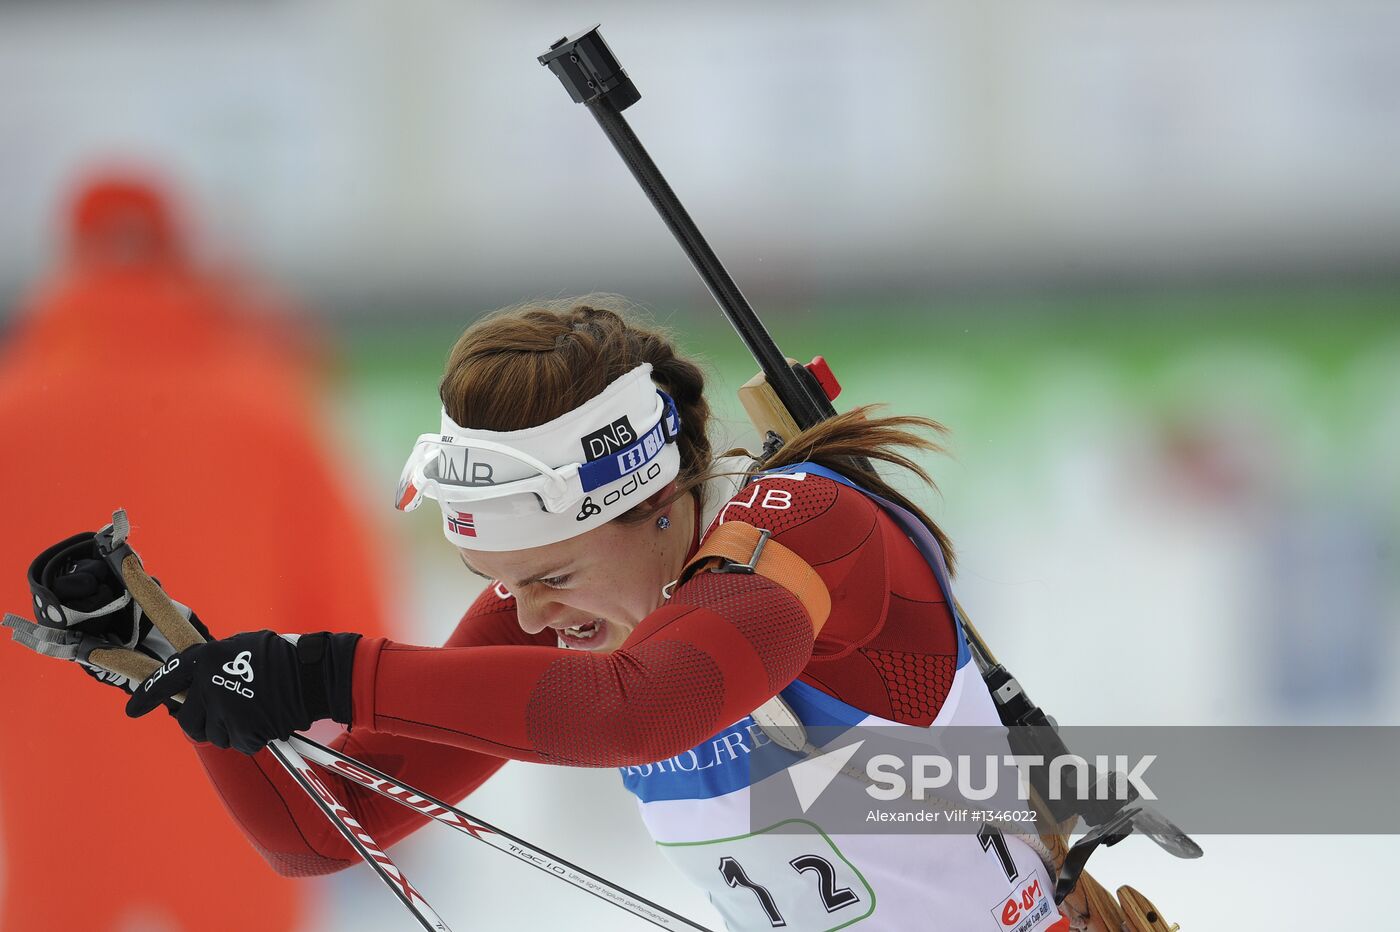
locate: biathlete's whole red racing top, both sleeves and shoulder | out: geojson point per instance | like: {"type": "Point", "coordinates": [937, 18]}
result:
{"type": "Point", "coordinates": [444, 720]}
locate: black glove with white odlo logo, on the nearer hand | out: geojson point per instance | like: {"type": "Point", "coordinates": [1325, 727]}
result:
{"type": "Point", "coordinates": [255, 688]}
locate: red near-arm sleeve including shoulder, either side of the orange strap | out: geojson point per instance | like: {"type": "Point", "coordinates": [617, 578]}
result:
{"type": "Point", "coordinates": [713, 654]}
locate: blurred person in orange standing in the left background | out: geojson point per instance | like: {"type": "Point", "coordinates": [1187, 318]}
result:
{"type": "Point", "coordinates": [136, 380]}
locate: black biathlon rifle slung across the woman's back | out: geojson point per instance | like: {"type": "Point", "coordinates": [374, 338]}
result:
{"type": "Point", "coordinates": [787, 398]}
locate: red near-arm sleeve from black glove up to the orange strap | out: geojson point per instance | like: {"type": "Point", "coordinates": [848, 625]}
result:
{"type": "Point", "coordinates": [706, 658]}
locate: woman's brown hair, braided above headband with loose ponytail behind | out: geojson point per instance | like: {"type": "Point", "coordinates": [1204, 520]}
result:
{"type": "Point", "coordinates": [569, 352]}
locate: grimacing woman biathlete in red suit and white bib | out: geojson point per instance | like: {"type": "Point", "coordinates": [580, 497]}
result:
{"type": "Point", "coordinates": [575, 472]}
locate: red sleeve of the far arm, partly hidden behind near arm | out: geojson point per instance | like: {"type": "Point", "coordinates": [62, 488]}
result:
{"type": "Point", "coordinates": [288, 829]}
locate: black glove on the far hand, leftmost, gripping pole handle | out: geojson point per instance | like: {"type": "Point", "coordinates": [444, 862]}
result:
{"type": "Point", "coordinates": [82, 605]}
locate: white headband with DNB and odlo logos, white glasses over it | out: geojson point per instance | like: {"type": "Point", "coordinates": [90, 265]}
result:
{"type": "Point", "coordinates": [510, 490]}
